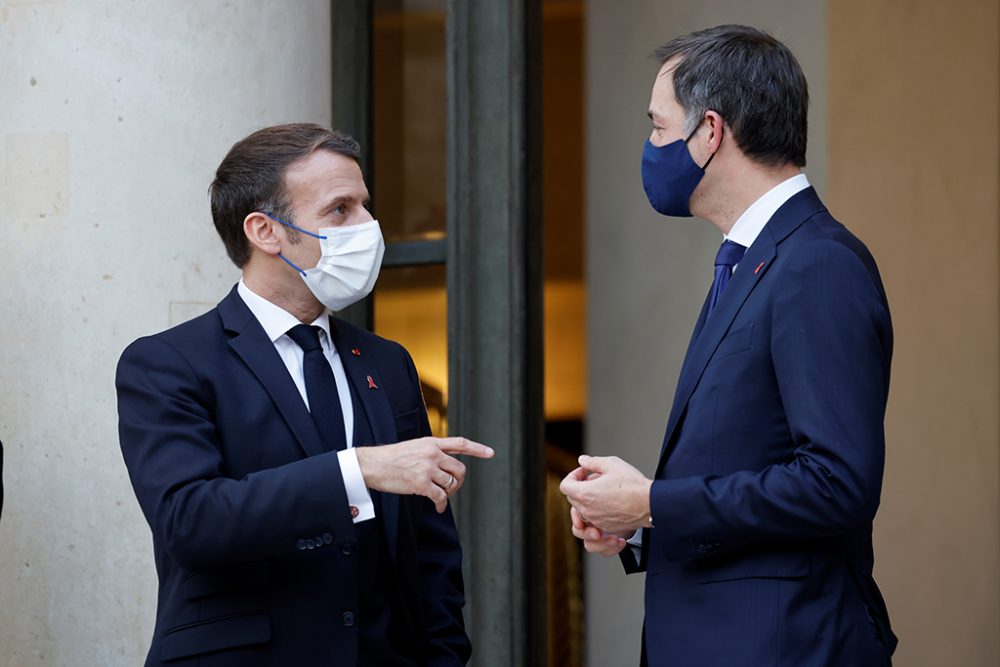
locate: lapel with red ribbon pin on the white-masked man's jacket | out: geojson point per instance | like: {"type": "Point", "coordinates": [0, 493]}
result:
{"type": "Point", "coordinates": [367, 384]}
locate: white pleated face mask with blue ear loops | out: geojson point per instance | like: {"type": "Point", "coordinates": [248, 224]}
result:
{"type": "Point", "coordinates": [348, 266]}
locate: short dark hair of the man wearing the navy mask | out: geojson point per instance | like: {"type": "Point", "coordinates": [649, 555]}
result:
{"type": "Point", "coordinates": [750, 79]}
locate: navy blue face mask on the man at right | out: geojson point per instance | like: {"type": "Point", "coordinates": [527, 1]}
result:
{"type": "Point", "coordinates": [670, 176]}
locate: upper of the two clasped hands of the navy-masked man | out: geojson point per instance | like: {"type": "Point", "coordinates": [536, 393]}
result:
{"type": "Point", "coordinates": [609, 494]}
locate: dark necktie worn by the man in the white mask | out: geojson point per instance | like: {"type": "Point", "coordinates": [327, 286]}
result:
{"type": "Point", "coordinates": [321, 388]}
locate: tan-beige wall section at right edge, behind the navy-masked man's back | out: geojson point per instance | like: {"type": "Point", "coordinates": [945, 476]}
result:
{"type": "Point", "coordinates": [913, 169]}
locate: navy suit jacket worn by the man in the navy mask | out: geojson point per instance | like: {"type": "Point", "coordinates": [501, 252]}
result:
{"type": "Point", "coordinates": [771, 468]}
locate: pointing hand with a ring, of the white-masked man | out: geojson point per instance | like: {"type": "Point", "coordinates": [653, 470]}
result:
{"type": "Point", "coordinates": [419, 467]}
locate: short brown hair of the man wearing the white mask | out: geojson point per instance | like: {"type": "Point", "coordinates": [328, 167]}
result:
{"type": "Point", "coordinates": [252, 177]}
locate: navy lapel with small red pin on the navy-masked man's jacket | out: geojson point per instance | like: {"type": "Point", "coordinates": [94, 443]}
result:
{"type": "Point", "coordinates": [751, 270]}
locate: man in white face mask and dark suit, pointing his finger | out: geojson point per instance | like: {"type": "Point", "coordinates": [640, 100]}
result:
{"type": "Point", "coordinates": [279, 538]}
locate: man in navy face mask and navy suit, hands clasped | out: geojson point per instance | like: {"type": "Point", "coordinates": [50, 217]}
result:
{"type": "Point", "coordinates": [755, 531]}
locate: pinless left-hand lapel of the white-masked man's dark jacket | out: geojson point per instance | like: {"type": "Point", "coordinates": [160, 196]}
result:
{"type": "Point", "coordinates": [257, 351]}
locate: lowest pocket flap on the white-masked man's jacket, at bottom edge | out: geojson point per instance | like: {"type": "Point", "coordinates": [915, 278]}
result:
{"type": "Point", "coordinates": [216, 634]}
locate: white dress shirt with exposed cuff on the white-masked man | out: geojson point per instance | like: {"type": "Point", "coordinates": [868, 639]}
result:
{"type": "Point", "coordinates": [276, 322]}
